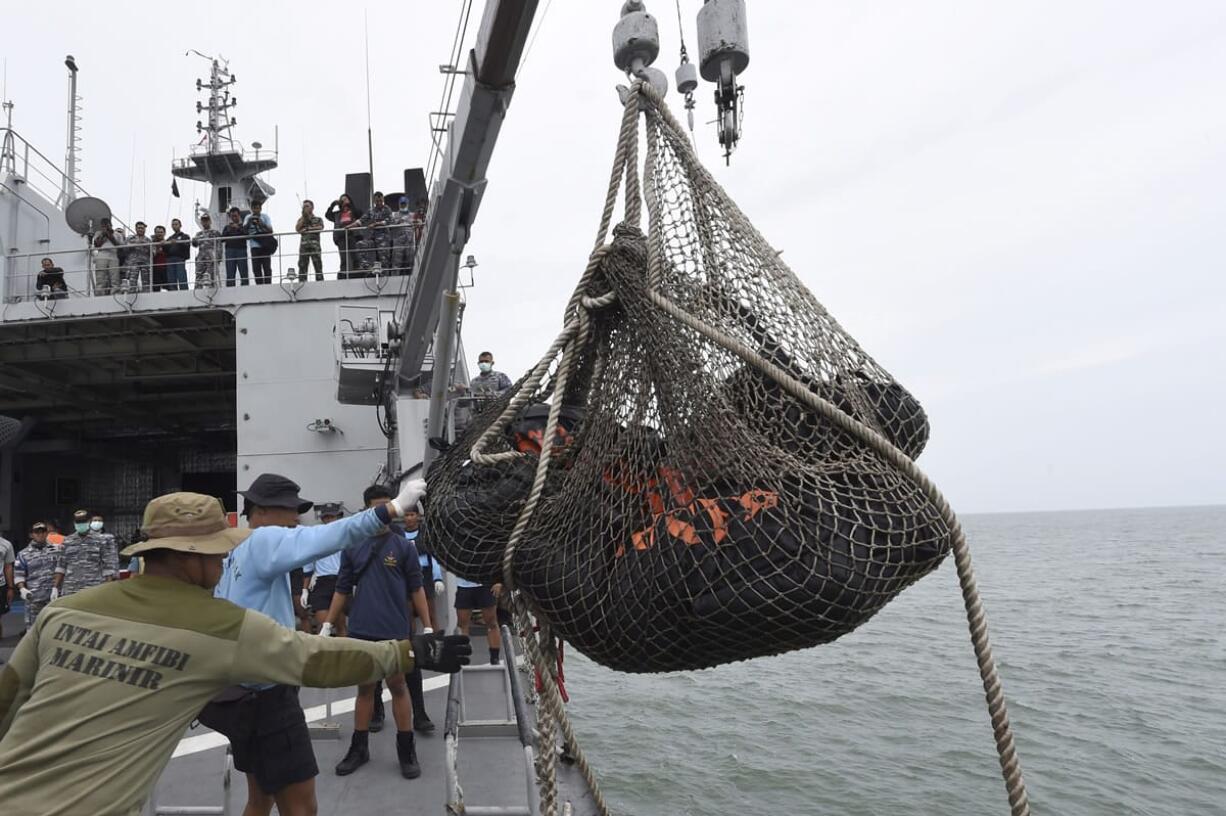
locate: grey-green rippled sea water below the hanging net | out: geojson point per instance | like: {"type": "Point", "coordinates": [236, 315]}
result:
{"type": "Point", "coordinates": [1108, 629]}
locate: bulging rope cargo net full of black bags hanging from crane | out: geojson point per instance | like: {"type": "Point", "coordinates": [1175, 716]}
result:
{"type": "Point", "coordinates": [693, 513]}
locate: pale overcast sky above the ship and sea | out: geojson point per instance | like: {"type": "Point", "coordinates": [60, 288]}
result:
{"type": "Point", "coordinates": [1018, 209]}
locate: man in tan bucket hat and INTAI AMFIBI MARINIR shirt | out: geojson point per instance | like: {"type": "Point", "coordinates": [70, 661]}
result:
{"type": "Point", "coordinates": [162, 641]}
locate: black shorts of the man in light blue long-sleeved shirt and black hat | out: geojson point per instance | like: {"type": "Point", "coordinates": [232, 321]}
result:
{"type": "Point", "coordinates": [269, 737]}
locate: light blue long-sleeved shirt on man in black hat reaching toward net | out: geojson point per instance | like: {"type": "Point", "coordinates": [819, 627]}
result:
{"type": "Point", "coordinates": [257, 573]}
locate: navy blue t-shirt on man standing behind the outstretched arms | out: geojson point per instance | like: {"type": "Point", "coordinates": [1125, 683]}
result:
{"type": "Point", "coordinates": [381, 608]}
